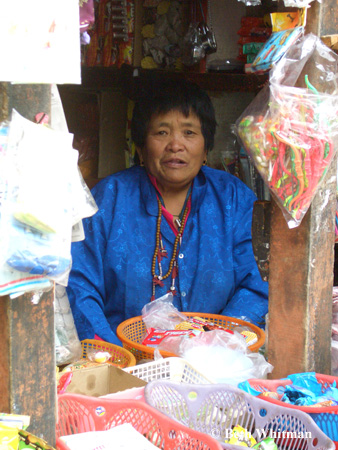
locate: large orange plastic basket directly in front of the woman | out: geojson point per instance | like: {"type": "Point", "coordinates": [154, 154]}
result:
{"type": "Point", "coordinates": [132, 331]}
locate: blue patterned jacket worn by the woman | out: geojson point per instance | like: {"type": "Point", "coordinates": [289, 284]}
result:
{"type": "Point", "coordinates": [111, 279]}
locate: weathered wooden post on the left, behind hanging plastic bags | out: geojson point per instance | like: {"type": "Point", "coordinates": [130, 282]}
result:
{"type": "Point", "coordinates": [27, 363]}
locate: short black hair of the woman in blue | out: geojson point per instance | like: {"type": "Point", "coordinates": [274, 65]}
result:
{"type": "Point", "coordinates": [162, 96]}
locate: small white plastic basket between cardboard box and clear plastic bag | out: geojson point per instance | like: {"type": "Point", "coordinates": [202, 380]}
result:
{"type": "Point", "coordinates": [172, 368]}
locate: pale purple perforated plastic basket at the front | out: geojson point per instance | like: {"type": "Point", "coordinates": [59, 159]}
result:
{"type": "Point", "coordinates": [216, 408]}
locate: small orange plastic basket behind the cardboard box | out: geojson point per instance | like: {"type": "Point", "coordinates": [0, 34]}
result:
{"type": "Point", "coordinates": [120, 356]}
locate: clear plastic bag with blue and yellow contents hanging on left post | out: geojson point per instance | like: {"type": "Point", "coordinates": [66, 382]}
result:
{"type": "Point", "coordinates": [42, 198]}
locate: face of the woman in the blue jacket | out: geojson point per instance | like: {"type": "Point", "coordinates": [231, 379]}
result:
{"type": "Point", "coordinates": [174, 150]}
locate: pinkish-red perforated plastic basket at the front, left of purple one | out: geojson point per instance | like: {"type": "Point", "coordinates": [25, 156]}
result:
{"type": "Point", "coordinates": [79, 413]}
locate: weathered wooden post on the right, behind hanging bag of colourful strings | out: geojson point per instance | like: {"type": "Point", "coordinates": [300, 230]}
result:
{"type": "Point", "coordinates": [301, 266]}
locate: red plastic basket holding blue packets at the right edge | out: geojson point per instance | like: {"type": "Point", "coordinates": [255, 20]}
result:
{"type": "Point", "coordinates": [325, 417]}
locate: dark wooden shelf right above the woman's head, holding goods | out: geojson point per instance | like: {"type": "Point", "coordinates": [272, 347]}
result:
{"type": "Point", "coordinates": [128, 79]}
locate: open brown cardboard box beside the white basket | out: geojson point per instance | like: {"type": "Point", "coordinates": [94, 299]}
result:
{"type": "Point", "coordinates": [102, 380]}
